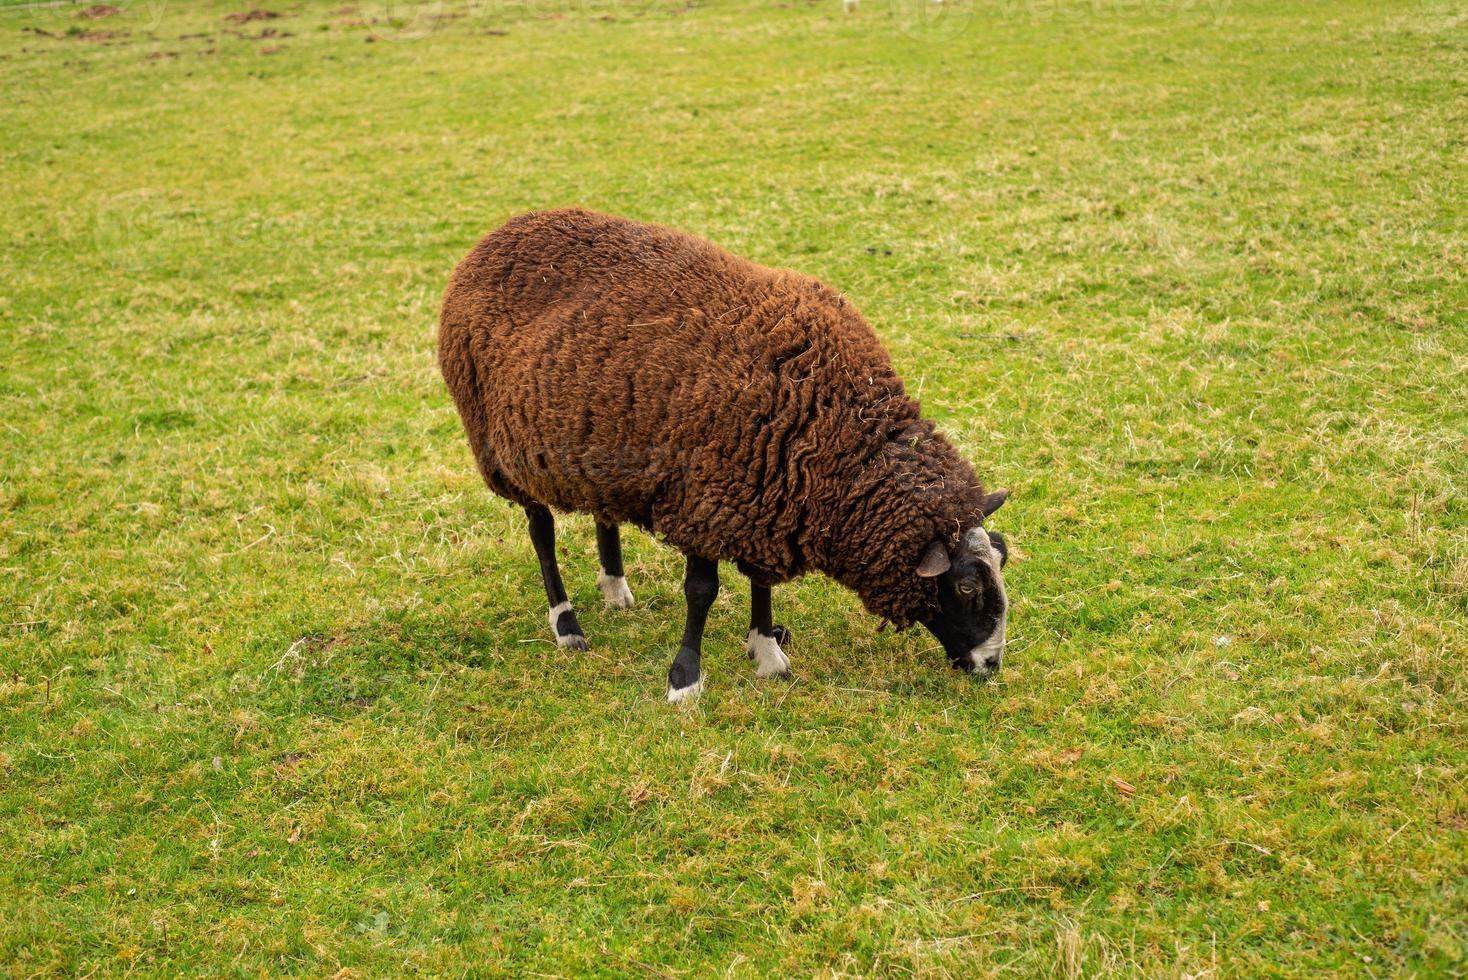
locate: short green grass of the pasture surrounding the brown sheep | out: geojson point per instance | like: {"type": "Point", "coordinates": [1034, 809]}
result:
{"type": "Point", "coordinates": [275, 686]}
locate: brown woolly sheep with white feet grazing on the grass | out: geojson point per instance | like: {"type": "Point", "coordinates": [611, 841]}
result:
{"type": "Point", "coordinates": [742, 413]}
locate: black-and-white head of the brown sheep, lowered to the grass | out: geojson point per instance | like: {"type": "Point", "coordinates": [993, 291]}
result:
{"type": "Point", "coordinates": [973, 607]}
